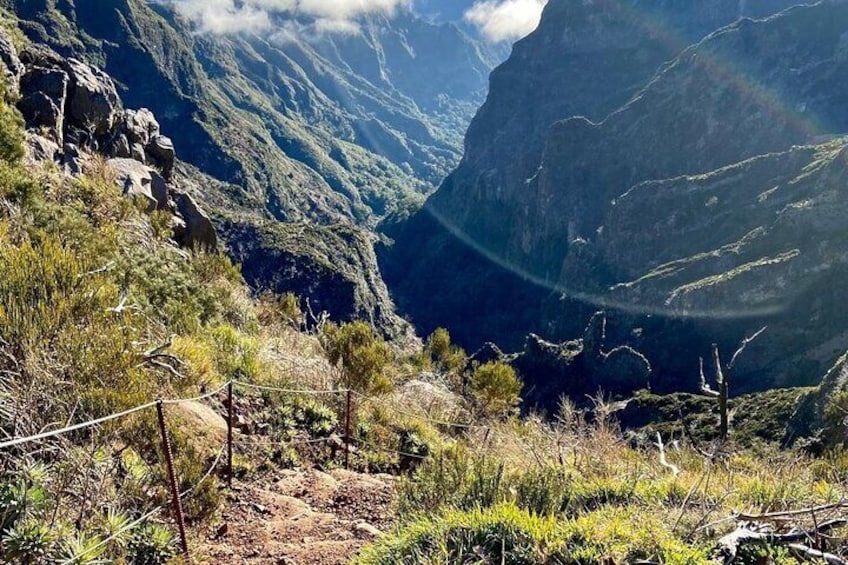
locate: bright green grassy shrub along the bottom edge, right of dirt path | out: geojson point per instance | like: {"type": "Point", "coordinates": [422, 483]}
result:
{"type": "Point", "coordinates": [507, 534]}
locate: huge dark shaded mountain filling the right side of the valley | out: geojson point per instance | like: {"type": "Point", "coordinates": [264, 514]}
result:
{"type": "Point", "coordinates": [655, 180]}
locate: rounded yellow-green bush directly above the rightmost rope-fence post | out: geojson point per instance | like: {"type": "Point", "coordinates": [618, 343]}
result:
{"type": "Point", "coordinates": [360, 353]}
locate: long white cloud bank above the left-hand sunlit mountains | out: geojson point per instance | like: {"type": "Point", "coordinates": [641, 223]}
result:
{"type": "Point", "coordinates": [235, 16]}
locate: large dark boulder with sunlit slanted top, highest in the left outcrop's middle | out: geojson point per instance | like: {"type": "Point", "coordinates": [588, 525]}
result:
{"type": "Point", "coordinates": [93, 102]}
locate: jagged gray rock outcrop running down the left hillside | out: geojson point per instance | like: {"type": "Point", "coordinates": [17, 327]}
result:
{"type": "Point", "coordinates": [72, 111]}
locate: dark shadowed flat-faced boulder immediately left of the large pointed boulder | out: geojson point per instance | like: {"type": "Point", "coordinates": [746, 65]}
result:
{"type": "Point", "coordinates": [44, 94]}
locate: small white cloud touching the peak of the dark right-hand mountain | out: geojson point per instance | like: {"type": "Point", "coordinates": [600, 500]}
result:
{"type": "Point", "coordinates": [506, 20]}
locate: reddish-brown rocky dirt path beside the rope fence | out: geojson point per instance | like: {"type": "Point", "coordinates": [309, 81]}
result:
{"type": "Point", "coordinates": [299, 517]}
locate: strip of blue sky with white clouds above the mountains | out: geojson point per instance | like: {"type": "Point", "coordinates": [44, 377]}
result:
{"type": "Point", "coordinates": [497, 20]}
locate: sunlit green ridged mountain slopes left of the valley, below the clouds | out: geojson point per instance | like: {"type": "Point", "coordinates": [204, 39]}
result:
{"type": "Point", "coordinates": [327, 131]}
